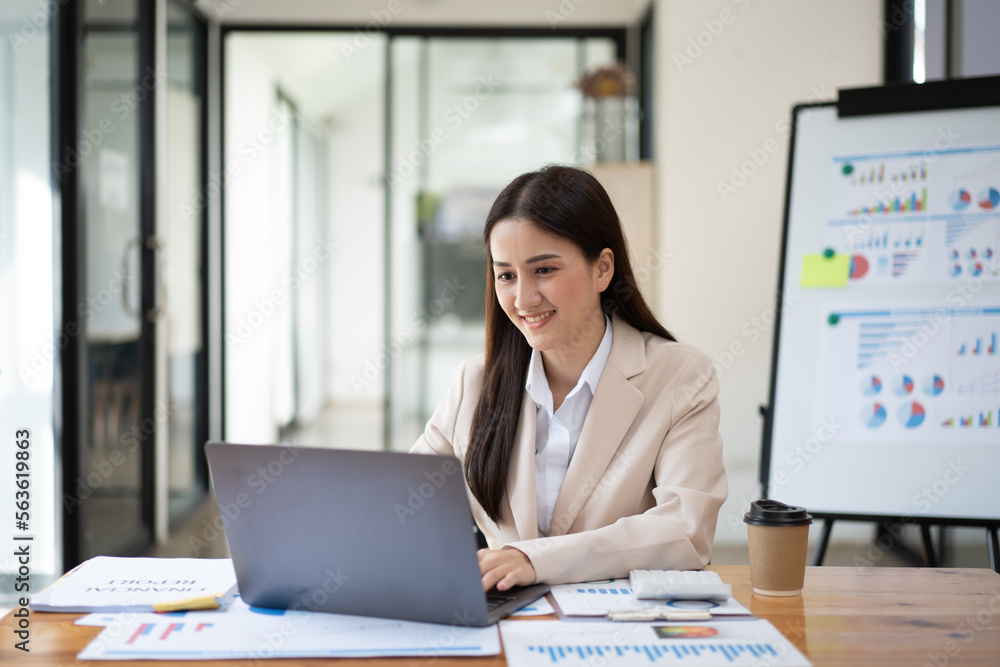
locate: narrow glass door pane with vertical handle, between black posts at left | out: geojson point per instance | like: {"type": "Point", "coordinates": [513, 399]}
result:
{"type": "Point", "coordinates": [112, 498]}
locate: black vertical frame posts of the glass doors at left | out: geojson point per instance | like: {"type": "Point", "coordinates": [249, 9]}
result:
{"type": "Point", "coordinates": [73, 405]}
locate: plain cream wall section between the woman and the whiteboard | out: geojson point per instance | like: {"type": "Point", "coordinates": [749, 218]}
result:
{"type": "Point", "coordinates": [728, 73]}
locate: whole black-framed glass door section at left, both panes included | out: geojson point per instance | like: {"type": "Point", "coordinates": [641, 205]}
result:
{"type": "Point", "coordinates": [136, 465]}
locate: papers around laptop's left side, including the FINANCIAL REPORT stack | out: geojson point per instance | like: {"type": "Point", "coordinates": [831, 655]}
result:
{"type": "Point", "coordinates": [188, 609]}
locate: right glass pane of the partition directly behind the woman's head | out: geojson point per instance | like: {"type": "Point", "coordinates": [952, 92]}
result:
{"type": "Point", "coordinates": [467, 116]}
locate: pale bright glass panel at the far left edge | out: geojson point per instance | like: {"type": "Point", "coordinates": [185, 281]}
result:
{"type": "Point", "coordinates": [30, 337]}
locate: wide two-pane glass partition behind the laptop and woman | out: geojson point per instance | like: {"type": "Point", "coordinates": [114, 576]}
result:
{"type": "Point", "coordinates": [355, 267]}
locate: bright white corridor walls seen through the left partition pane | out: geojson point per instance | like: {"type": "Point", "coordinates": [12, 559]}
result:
{"type": "Point", "coordinates": [337, 83]}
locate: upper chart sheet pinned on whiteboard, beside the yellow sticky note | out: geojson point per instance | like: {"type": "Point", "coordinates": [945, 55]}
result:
{"type": "Point", "coordinates": [910, 218]}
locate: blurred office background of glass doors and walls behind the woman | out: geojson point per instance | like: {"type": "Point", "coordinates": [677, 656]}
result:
{"type": "Point", "coordinates": [262, 221]}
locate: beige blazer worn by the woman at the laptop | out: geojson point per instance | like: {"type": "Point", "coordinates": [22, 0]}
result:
{"type": "Point", "coordinates": [645, 484]}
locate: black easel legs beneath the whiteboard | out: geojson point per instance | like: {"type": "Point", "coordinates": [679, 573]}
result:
{"type": "Point", "coordinates": [891, 527]}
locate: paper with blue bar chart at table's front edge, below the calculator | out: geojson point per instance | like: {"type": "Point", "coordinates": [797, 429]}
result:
{"type": "Point", "coordinates": [755, 642]}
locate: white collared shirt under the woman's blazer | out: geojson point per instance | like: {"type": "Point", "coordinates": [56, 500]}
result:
{"type": "Point", "coordinates": [556, 434]}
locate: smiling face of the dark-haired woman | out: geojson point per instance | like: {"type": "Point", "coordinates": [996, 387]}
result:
{"type": "Point", "coordinates": [548, 289]}
